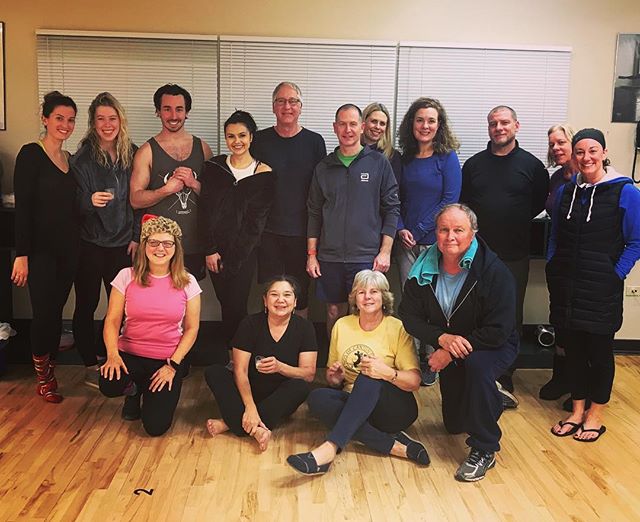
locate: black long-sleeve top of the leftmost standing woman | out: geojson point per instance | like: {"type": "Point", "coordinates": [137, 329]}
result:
{"type": "Point", "coordinates": [45, 203]}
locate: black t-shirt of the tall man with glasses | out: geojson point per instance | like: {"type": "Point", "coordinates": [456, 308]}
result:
{"type": "Point", "coordinates": [294, 160]}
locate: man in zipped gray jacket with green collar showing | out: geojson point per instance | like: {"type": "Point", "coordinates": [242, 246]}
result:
{"type": "Point", "coordinates": [353, 209]}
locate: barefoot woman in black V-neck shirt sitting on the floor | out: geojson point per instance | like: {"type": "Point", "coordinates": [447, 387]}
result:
{"type": "Point", "coordinates": [274, 359]}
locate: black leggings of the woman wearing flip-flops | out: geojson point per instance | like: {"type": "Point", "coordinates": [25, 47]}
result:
{"type": "Point", "coordinates": [590, 365]}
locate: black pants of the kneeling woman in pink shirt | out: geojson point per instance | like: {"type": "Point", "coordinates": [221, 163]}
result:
{"type": "Point", "coordinates": [157, 407]}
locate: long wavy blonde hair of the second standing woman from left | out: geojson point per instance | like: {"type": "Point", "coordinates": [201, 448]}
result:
{"type": "Point", "coordinates": [124, 145]}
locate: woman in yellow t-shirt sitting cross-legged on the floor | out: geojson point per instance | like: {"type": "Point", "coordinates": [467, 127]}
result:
{"type": "Point", "coordinates": [373, 363]}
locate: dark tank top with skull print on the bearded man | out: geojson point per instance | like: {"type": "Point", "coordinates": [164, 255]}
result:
{"type": "Point", "coordinates": [182, 206]}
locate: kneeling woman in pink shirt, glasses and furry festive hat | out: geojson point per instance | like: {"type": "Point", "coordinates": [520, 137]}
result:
{"type": "Point", "coordinates": [160, 302]}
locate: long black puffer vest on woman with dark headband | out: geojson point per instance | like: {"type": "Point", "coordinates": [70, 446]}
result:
{"type": "Point", "coordinates": [584, 290]}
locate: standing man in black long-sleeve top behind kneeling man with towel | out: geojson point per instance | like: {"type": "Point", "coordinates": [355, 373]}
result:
{"type": "Point", "coordinates": [506, 187]}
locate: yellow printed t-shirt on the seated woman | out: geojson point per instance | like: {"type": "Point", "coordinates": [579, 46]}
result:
{"type": "Point", "coordinates": [388, 341]}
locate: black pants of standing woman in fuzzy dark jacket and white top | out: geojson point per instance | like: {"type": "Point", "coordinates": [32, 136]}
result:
{"type": "Point", "coordinates": [233, 293]}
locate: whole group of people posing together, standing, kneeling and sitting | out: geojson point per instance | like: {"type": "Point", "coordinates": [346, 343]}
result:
{"type": "Point", "coordinates": [149, 223]}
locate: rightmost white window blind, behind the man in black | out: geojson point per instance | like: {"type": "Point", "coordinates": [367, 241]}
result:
{"type": "Point", "coordinates": [469, 82]}
